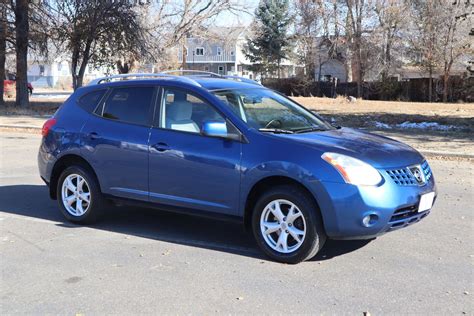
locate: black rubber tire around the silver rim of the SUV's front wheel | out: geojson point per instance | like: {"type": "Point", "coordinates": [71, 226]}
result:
{"type": "Point", "coordinates": [315, 236]}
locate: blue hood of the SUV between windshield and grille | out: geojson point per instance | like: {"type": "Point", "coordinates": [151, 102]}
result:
{"type": "Point", "coordinates": [379, 151]}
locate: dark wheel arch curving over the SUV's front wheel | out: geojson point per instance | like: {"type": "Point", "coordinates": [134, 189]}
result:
{"type": "Point", "coordinates": [264, 184]}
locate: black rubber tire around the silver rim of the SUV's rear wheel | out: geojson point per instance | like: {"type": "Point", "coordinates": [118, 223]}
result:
{"type": "Point", "coordinates": [95, 196]}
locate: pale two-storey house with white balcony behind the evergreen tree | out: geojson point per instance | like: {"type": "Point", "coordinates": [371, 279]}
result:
{"type": "Point", "coordinates": [222, 53]}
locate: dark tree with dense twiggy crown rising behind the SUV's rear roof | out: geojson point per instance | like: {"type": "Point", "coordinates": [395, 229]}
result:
{"type": "Point", "coordinates": [96, 31]}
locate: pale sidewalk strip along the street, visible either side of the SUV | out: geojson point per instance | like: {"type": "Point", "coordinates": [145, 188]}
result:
{"type": "Point", "coordinates": [431, 144]}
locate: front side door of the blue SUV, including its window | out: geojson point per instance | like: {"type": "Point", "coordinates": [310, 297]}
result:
{"type": "Point", "coordinates": [188, 169]}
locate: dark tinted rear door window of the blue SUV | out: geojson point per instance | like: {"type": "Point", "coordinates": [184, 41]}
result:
{"type": "Point", "coordinates": [130, 105]}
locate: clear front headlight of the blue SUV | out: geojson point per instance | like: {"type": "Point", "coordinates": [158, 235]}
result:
{"type": "Point", "coordinates": [353, 170]}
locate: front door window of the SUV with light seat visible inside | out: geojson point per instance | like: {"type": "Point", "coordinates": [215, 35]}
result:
{"type": "Point", "coordinates": [184, 111]}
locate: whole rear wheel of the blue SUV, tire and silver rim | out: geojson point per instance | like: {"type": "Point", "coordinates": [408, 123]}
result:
{"type": "Point", "coordinates": [85, 212]}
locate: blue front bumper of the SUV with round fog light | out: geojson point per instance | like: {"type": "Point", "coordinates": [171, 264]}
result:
{"type": "Point", "coordinates": [390, 206]}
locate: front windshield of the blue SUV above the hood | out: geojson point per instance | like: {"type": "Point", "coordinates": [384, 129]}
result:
{"type": "Point", "coordinates": [269, 111]}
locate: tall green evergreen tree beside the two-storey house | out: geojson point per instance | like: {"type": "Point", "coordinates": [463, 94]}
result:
{"type": "Point", "coordinates": [271, 43]}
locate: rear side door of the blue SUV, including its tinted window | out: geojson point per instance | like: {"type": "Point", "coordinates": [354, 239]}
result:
{"type": "Point", "coordinates": [116, 141]}
